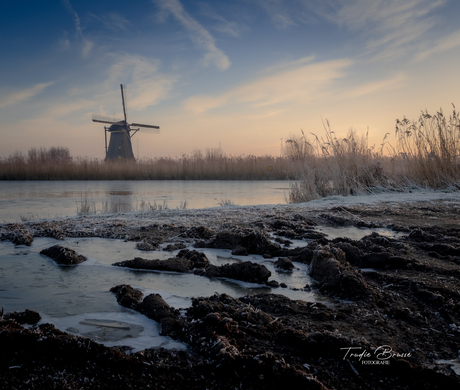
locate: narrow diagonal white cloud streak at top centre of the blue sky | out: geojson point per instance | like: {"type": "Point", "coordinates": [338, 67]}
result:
{"type": "Point", "coordinates": [198, 34]}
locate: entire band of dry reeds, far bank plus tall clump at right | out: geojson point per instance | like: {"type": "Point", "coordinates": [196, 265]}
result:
{"type": "Point", "coordinates": [426, 154]}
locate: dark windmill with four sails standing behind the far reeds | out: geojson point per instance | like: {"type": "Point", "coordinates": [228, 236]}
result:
{"type": "Point", "coordinates": [120, 146]}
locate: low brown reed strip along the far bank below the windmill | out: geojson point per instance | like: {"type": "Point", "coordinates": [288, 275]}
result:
{"type": "Point", "coordinates": [17, 167]}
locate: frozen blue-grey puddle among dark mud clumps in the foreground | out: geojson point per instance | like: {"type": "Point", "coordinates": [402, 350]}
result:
{"type": "Point", "coordinates": [75, 298]}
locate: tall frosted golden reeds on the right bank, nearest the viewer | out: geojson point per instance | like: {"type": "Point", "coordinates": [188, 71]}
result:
{"type": "Point", "coordinates": [426, 155]}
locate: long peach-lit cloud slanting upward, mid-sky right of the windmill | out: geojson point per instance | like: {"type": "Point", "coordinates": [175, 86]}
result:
{"type": "Point", "coordinates": [301, 84]}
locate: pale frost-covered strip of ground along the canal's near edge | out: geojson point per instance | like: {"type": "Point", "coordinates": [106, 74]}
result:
{"type": "Point", "coordinates": [216, 217]}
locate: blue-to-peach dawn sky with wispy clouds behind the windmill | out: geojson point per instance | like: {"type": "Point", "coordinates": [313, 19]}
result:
{"type": "Point", "coordinates": [242, 75]}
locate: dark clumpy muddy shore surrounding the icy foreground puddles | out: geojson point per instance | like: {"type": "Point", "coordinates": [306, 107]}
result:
{"type": "Point", "coordinates": [393, 321]}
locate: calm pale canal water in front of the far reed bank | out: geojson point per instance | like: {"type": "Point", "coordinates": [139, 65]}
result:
{"type": "Point", "coordinates": [50, 199]}
